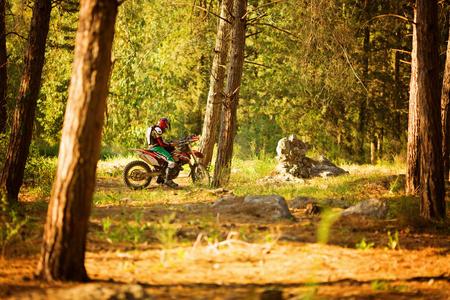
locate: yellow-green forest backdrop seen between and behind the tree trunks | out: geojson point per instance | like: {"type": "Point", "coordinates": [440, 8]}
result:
{"type": "Point", "coordinates": [335, 73]}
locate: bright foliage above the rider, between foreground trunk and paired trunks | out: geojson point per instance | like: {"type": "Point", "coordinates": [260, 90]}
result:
{"type": "Point", "coordinates": [161, 63]}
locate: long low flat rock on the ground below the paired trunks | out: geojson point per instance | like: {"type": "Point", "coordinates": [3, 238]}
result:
{"type": "Point", "coordinates": [270, 207]}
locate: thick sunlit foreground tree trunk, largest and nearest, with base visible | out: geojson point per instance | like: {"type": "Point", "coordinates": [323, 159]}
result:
{"type": "Point", "coordinates": [63, 248]}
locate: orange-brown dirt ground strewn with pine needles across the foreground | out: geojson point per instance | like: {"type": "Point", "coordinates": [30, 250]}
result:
{"type": "Point", "coordinates": [180, 249]}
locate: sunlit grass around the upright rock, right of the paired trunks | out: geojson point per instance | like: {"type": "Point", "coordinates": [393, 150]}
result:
{"type": "Point", "coordinates": [246, 178]}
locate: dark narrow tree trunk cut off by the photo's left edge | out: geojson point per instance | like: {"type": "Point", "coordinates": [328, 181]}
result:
{"type": "Point", "coordinates": [3, 68]}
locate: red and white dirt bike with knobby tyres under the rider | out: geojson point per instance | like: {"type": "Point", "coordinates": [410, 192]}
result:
{"type": "Point", "coordinates": [139, 173]}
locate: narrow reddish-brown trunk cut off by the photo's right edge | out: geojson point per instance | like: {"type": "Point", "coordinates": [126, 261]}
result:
{"type": "Point", "coordinates": [445, 114]}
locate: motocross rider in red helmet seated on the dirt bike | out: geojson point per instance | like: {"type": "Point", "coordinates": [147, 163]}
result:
{"type": "Point", "coordinates": [156, 142]}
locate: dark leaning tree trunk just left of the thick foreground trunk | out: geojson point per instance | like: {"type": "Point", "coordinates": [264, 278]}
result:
{"type": "Point", "coordinates": [23, 119]}
